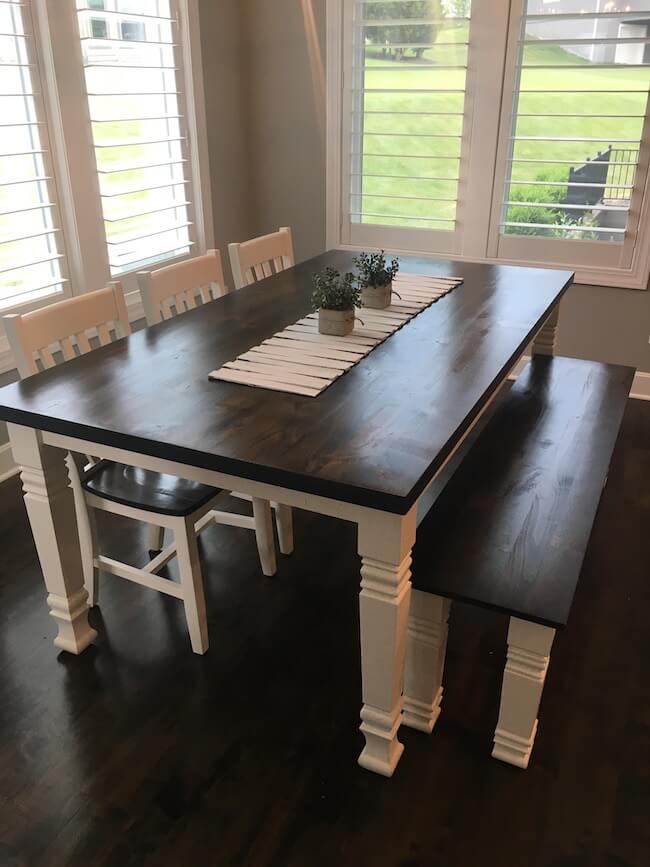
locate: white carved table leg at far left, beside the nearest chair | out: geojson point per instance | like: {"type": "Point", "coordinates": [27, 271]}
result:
{"type": "Point", "coordinates": [50, 506]}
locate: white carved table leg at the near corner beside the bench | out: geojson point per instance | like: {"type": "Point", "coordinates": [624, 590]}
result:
{"type": "Point", "coordinates": [385, 543]}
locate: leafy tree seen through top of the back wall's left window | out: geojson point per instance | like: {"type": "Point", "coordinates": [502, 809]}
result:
{"type": "Point", "coordinates": [417, 34]}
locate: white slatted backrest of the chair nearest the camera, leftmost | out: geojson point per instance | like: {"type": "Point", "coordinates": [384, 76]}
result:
{"type": "Point", "coordinates": [56, 325]}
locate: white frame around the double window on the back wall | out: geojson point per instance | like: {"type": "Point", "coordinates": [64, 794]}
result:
{"type": "Point", "coordinates": [489, 103]}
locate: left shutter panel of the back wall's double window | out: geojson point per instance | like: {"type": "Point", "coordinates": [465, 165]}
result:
{"type": "Point", "coordinates": [405, 121]}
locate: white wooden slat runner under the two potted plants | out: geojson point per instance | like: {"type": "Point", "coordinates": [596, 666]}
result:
{"type": "Point", "coordinates": [299, 360]}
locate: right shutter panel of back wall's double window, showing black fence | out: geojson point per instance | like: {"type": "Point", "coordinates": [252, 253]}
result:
{"type": "Point", "coordinates": [573, 153]}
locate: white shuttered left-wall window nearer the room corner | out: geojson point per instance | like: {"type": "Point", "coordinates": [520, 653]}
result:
{"type": "Point", "coordinates": [134, 80]}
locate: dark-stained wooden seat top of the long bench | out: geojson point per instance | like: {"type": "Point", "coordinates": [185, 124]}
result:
{"type": "Point", "coordinates": [510, 529]}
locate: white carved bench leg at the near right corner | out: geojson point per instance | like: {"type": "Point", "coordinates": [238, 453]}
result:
{"type": "Point", "coordinates": [529, 648]}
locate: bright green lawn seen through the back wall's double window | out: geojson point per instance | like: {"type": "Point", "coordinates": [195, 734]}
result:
{"type": "Point", "coordinates": [409, 174]}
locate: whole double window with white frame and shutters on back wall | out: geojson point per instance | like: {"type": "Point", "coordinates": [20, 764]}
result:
{"type": "Point", "coordinates": [518, 133]}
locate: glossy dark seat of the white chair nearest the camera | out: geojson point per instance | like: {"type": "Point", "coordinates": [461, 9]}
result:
{"type": "Point", "coordinates": [147, 490]}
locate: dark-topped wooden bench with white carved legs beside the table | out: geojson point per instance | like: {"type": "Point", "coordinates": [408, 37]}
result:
{"type": "Point", "coordinates": [509, 532]}
